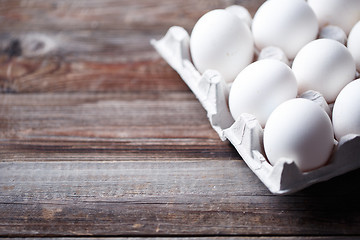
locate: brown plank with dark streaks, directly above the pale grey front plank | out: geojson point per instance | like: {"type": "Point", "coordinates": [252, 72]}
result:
{"type": "Point", "coordinates": [117, 126]}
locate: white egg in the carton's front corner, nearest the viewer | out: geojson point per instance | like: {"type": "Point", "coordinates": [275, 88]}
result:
{"type": "Point", "coordinates": [301, 130]}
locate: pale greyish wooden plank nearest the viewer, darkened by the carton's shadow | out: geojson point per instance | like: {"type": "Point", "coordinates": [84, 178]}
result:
{"type": "Point", "coordinates": [166, 198]}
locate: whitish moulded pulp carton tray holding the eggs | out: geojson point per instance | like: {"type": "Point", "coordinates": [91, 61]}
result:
{"type": "Point", "coordinates": [246, 134]}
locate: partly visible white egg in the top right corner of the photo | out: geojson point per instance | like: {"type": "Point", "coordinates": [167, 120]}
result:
{"type": "Point", "coordinates": [342, 13]}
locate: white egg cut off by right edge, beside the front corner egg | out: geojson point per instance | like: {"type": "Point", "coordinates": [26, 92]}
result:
{"type": "Point", "coordinates": [346, 111]}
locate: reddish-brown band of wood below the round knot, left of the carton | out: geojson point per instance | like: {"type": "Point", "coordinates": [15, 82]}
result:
{"type": "Point", "coordinates": [56, 75]}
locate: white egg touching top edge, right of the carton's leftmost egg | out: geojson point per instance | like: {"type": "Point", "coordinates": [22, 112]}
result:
{"type": "Point", "coordinates": [286, 24]}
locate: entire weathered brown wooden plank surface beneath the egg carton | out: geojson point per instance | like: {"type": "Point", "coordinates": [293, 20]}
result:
{"type": "Point", "coordinates": [99, 137]}
